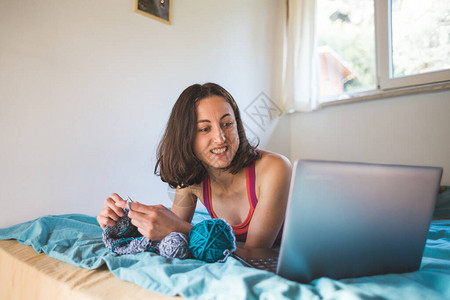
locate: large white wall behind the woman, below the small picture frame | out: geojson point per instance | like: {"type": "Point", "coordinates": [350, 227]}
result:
{"type": "Point", "coordinates": [86, 88]}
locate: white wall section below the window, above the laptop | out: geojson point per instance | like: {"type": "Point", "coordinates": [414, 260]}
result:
{"type": "Point", "coordinates": [411, 129]}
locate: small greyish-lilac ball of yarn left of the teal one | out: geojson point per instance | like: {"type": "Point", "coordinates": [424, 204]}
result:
{"type": "Point", "coordinates": [174, 245]}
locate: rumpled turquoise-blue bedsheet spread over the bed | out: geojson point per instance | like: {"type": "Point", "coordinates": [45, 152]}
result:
{"type": "Point", "coordinates": [76, 239]}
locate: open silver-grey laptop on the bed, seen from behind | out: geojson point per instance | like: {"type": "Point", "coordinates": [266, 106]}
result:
{"type": "Point", "coordinates": [347, 219]}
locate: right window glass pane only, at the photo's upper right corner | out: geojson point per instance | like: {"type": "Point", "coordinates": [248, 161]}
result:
{"type": "Point", "coordinates": [420, 33]}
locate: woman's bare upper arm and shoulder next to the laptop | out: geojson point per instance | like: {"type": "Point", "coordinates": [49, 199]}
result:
{"type": "Point", "coordinates": [273, 175]}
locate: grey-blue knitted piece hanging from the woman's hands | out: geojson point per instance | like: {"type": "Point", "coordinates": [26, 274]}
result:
{"type": "Point", "coordinates": [124, 238]}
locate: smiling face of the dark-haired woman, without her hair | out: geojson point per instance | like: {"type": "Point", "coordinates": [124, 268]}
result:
{"type": "Point", "coordinates": [217, 138]}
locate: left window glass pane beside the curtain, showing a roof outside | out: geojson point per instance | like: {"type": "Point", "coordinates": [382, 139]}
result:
{"type": "Point", "coordinates": [346, 46]}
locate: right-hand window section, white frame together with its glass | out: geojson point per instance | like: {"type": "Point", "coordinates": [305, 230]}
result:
{"type": "Point", "coordinates": [415, 46]}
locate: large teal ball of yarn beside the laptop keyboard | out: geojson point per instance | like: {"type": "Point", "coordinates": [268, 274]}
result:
{"type": "Point", "coordinates": [212, 240]}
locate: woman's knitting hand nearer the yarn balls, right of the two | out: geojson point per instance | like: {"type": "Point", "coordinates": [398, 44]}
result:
{"type": "Point", "coordinates": [155, 221]}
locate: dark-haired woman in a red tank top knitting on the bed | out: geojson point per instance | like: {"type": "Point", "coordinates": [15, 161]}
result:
{"type": "Point", "coordinates": [205, 155]}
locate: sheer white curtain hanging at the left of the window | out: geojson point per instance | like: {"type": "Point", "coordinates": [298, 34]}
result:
{"type": "Point", "coordinates": [301, 74]}
